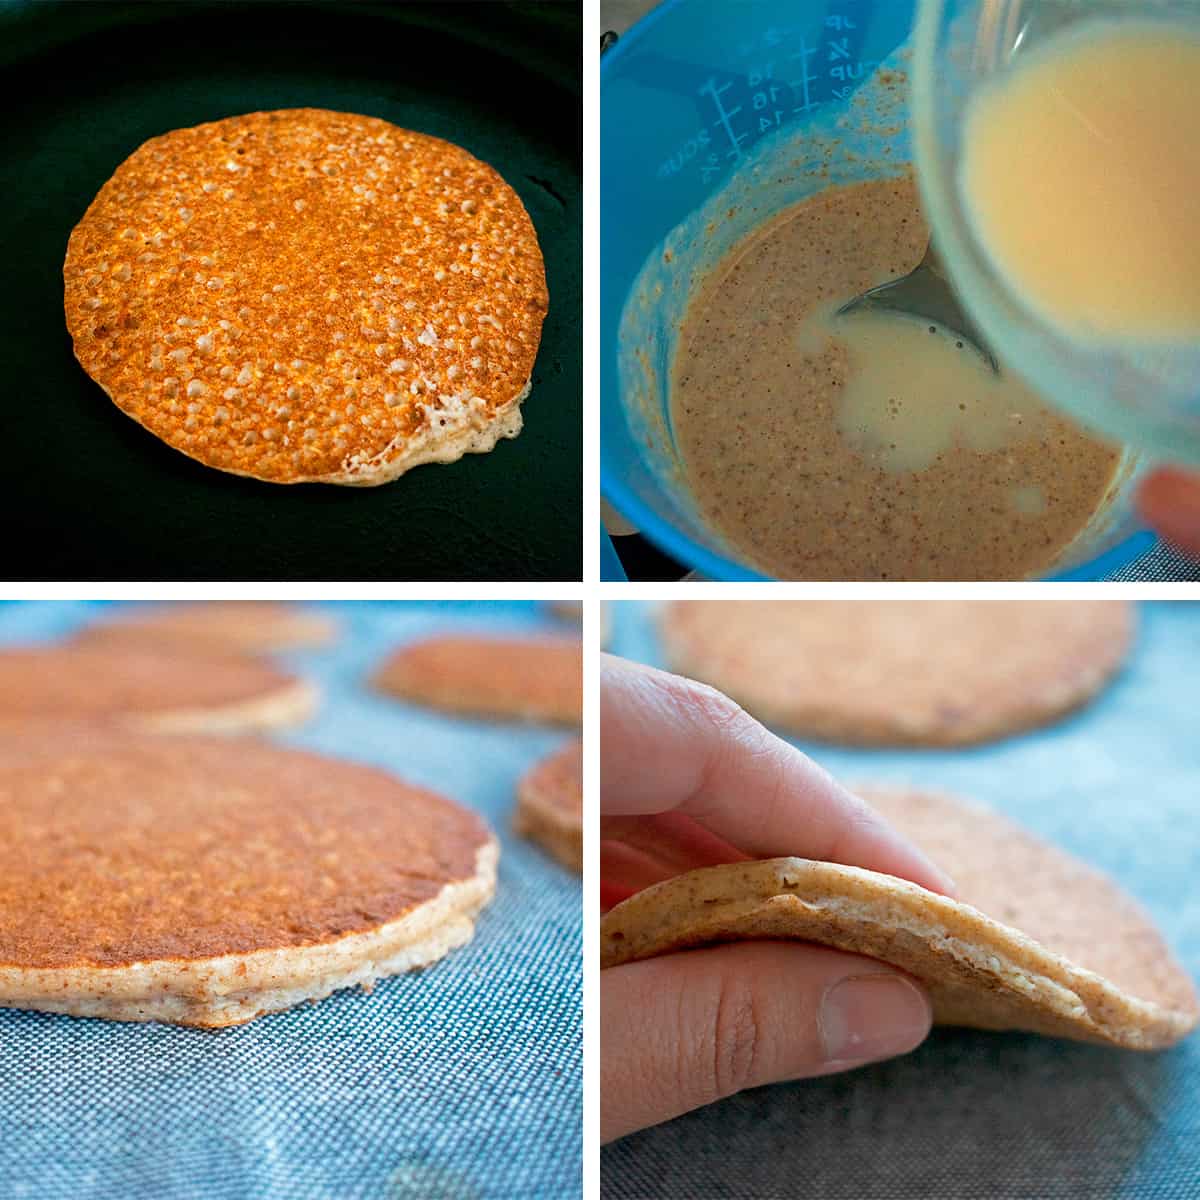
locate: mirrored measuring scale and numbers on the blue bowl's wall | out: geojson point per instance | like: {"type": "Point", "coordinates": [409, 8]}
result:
{"type": "Point", "coordinates": [785, 77]}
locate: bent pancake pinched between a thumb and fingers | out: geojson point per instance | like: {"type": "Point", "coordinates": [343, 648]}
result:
{"type": "Point", "coordinates": [1036, 940]}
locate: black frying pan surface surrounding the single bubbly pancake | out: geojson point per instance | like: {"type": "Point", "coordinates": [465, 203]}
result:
{"type": "Point", "coordinates": [86, 494]}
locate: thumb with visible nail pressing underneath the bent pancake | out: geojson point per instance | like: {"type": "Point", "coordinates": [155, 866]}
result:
{"type": "Point", "coordinates": [688, 1029]}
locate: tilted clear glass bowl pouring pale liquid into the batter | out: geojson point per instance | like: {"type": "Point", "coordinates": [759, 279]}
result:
{"type": "Point", "coordinates": [1148, 397]}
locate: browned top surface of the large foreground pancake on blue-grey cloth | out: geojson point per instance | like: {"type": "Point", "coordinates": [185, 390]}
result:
{"type": "Point", "coordinates": [119, 848]}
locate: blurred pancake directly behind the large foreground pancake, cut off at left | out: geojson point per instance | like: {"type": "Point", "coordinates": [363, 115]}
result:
{"type": "Point", "coordinates": [152, 688]}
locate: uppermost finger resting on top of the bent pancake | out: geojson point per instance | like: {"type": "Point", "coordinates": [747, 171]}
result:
{"type": "Point", "coordinates": [668, 743]}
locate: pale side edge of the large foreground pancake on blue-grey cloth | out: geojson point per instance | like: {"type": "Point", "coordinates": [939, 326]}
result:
{"type": "Point", "coordinates": [233, 989]}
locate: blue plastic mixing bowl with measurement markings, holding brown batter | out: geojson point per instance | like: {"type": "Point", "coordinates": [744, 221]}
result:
{"type": "Point", "coordinates": [687, 98]}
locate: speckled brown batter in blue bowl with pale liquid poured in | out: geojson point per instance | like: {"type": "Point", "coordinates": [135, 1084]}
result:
{"type": "Point", "coordinates": [866, 448]}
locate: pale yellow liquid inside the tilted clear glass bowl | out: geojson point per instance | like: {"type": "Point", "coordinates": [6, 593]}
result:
{"type": "Point", "coordinates": [1082, 172]}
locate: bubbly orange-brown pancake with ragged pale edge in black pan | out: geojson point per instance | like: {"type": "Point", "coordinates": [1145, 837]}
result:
{"type": "Point", "coordinates": [307, 296]}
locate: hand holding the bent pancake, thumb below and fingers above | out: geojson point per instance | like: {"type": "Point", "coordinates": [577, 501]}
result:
{"type": "Point", "coordinates": [688, 779]}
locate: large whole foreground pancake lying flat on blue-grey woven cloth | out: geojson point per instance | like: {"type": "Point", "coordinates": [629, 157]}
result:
{"type": "Point", "coordinates": [206, 883]}
